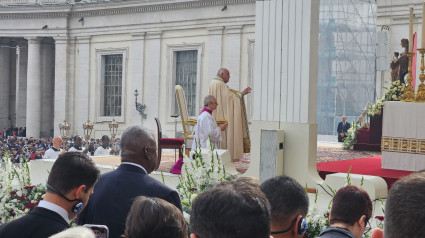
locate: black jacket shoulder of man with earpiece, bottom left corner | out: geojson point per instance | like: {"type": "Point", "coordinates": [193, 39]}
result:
{"type": "Point", "coordinates": [39, 223]}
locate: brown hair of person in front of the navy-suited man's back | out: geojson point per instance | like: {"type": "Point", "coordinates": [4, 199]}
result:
{"type": "Point", "coordinates": [154, 217]}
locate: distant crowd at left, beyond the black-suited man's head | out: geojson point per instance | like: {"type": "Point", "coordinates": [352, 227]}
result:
{"type": "Point", "coordinates": [21, 148]}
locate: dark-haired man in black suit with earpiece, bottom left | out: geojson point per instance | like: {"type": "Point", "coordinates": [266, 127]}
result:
{"type": "Point", "coordinates": [69, 186]}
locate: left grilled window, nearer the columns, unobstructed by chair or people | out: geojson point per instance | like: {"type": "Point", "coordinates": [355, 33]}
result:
{"type": "Point", "coordinates": [112, 94]}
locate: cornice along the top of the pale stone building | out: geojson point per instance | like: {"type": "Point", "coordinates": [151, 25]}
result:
{"type": "Point", "coordinates": [108, 8]}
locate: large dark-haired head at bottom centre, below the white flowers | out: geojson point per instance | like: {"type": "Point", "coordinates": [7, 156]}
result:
{"type": "Point", "coordinates": [231, 210]}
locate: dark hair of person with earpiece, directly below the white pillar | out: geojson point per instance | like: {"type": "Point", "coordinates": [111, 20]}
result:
{"type": "Point", "coordinates": [286, 197]}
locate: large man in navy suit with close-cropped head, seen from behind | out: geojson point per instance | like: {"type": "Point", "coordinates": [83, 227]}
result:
{"type": "Point", "coordinates": [116, 190]}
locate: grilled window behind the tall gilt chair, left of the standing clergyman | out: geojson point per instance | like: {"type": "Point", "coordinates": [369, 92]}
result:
{"type": "Point", "coordinates": [186, 69]}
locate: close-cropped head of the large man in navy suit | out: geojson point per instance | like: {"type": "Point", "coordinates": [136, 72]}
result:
{"type": "Point", "coordinates": [138, 146]}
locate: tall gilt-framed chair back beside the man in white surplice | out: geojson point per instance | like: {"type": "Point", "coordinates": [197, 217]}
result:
{"type": "Point", "coordinates": [187, 123]}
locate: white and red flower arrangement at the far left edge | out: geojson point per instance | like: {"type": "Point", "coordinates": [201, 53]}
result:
{"type": "Point", "coordinates": [17, 195]}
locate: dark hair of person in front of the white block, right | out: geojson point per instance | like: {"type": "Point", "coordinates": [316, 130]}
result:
{"type": "Point", "coordinates": [349, 204]}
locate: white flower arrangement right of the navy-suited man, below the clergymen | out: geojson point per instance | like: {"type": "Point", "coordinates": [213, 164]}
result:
{"type": "Point", "coordinates": [199, 176]}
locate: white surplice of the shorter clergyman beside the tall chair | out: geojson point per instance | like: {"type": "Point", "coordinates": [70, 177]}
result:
{"type": "Point", "coordinates": [205, 126]}
